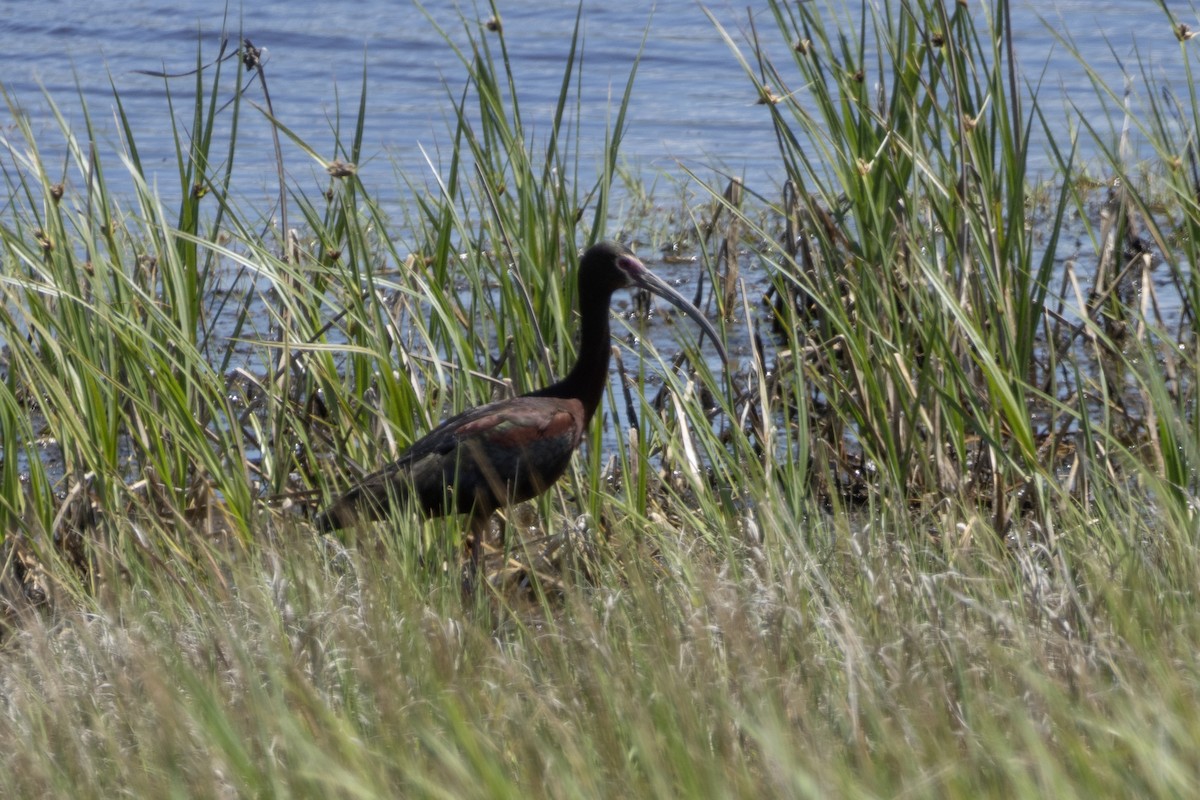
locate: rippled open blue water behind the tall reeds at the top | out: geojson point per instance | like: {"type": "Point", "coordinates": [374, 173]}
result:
{"type": "Point", "coordinates": [693, 105]}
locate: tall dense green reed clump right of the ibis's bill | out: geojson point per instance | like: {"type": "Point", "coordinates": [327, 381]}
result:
{"type": "Point", "coordinates": [916, 268]}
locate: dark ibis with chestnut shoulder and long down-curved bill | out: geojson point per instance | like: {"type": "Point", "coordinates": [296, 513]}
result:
{"type": "Point", "coordinates": [512, 450]}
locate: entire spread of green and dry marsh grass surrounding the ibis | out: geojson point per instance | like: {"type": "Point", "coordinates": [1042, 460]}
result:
{"type": "Point", "coordinates": [933, 536]}
